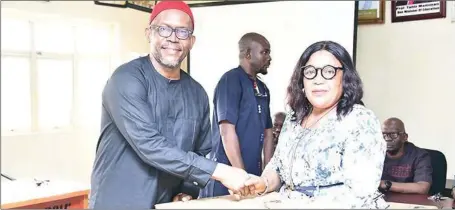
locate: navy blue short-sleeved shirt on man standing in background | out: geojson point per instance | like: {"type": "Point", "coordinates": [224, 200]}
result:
{"type": "Point", "coordinates": [237, 102]}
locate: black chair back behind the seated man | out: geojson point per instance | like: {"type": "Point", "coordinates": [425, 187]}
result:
{"type": "Point", "coordinates": [439, 164]}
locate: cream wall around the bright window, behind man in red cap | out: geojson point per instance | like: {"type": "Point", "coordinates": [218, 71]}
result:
{"type": "Point", "coordinates": [67, 155]}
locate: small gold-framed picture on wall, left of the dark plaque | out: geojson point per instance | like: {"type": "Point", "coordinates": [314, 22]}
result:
{"type": "Point", "coordinates": [371, 12]}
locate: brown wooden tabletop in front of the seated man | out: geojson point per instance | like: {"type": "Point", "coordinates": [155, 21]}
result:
{"type": "Point", "coordinates": [418, 199]}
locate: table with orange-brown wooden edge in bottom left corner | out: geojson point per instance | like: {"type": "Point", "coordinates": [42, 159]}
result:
{"type": "Point", "coordinates": [52, 195]}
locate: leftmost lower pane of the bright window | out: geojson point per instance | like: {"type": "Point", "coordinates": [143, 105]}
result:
{"type": "Point", "coordinates": [15, 90]}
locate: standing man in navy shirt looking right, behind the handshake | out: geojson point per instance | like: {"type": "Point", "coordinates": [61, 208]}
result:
{"type": "Point", "coordinates": [242, 125]}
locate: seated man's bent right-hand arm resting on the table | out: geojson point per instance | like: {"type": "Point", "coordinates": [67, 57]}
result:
{"type": "Point", "coordinates": [422, 177]}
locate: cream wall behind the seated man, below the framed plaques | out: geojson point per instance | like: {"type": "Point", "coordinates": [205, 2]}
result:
{"type": "Point", "coordinates": [408, 70]}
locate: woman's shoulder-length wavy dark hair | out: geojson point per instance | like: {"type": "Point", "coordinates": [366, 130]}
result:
{"type": "Point", "coordinates": [352, 84]}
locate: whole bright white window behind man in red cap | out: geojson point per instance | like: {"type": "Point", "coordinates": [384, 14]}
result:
{"type": "Point", "coordinates": [53, 73]}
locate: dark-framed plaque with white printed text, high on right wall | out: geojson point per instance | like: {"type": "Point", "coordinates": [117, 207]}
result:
{"type": "Point", "coordinates": [417, 10]}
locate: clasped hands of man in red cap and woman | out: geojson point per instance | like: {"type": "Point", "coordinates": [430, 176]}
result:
{"type": "Point", "coordinates": [238, 181]}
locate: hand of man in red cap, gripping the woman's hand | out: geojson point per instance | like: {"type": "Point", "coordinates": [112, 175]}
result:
{"type": "Point", "coordinates": [232, 178]}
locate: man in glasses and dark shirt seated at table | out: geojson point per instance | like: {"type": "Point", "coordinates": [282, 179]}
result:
{"type": "Point", "coordinates": [407, 168]}
